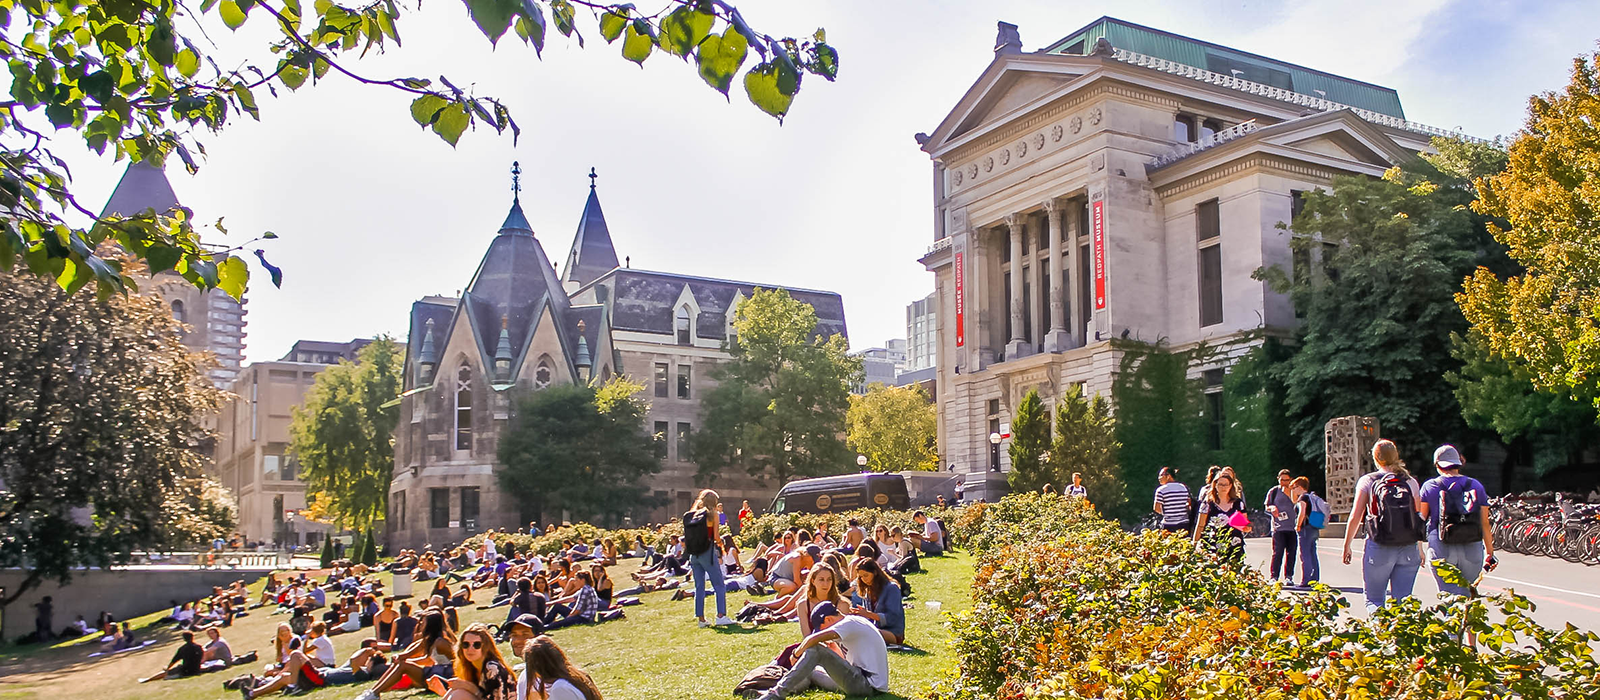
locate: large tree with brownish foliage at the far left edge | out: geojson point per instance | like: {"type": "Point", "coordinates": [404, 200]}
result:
{"type": "Point", "coordinates": [100, 413]}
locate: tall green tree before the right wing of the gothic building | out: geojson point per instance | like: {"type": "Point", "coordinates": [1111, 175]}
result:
{"type": "Point", "coordinates": [782, 400]}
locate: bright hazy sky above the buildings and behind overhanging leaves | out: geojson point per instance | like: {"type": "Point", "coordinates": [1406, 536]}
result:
{"type": "Point", "coordinates": [374, 213]}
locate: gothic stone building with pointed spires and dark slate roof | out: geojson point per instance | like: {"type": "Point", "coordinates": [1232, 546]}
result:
{"type": "Point", "coordinates": [519, 327]}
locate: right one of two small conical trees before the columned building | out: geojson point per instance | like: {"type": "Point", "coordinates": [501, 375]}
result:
{"type": "Point", "coordinates": [1087, 443]}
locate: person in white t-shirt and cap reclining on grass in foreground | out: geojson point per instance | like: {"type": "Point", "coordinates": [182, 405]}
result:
{"type": "Point", "coordinates": [860, 672]}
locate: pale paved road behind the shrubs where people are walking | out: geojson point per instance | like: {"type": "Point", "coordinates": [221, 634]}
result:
{"type": "Point", "coordinates": [1564, 592]}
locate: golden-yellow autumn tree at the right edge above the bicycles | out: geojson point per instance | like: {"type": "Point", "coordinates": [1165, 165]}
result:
{"type": "Point", "coordinates": [1550, 196]}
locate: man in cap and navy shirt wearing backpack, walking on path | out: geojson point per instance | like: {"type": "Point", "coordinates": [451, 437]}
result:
{"type": "Point", "coordinates": [1458, 520]}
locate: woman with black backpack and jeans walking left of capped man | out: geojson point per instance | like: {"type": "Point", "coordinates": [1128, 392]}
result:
{"type": "Point", "coordinates": [1390, 504]}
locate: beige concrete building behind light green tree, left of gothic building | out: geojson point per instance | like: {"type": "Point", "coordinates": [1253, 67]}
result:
{"type": "Point", "coordinates": [254, 434]}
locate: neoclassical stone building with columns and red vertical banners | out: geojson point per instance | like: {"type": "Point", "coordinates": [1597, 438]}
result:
{"type": "Point", "coordinates": [1124, 183]}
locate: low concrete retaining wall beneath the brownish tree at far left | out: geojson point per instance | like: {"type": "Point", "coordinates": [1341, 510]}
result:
{"type": "Point", "coordinates": [127, 594]}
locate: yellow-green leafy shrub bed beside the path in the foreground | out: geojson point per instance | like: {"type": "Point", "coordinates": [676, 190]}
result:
{"type": "Point", "coordinates": [1070, 607]}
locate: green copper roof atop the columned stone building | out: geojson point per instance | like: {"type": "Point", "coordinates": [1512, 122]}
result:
{"type": "Point", "coordinates": [1223, 60]}
